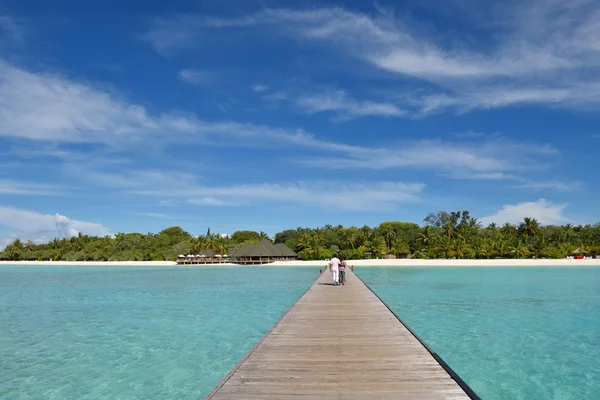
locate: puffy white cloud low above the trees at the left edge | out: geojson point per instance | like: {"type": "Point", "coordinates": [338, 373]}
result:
{"type": "Point", "coordinates": [38, 227]}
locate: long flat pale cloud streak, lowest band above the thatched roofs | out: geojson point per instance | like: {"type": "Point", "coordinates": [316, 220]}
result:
{"type": "Point", "coordinates": [355, 195]}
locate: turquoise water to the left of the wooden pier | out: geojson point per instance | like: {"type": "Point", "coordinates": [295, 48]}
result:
{"type": "Point", "coordinates": [133, 333]}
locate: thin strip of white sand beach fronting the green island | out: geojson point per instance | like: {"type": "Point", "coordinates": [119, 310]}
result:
{"type": "Point", "coordinates": [323, 263]}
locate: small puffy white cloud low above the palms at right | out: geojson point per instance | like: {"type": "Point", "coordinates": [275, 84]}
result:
{"type": "Point", "coordinates": [544, 211]}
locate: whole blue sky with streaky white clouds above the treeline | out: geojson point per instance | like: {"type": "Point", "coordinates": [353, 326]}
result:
{"type": "Point", "coordinates": [269, 115]}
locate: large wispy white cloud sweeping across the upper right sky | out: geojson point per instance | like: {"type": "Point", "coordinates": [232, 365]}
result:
{"type": "Point", "coordinates": [541, 51]}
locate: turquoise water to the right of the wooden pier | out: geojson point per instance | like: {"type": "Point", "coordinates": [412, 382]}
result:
{"type": "Point", "coordinates": [510, 333]}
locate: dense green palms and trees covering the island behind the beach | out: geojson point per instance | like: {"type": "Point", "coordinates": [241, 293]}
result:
{"type": "Point", "coordinates": [443, 235]}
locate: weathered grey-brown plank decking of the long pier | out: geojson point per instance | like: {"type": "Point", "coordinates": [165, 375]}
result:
{"type": "Point", "coordinates": [340, 343]}
